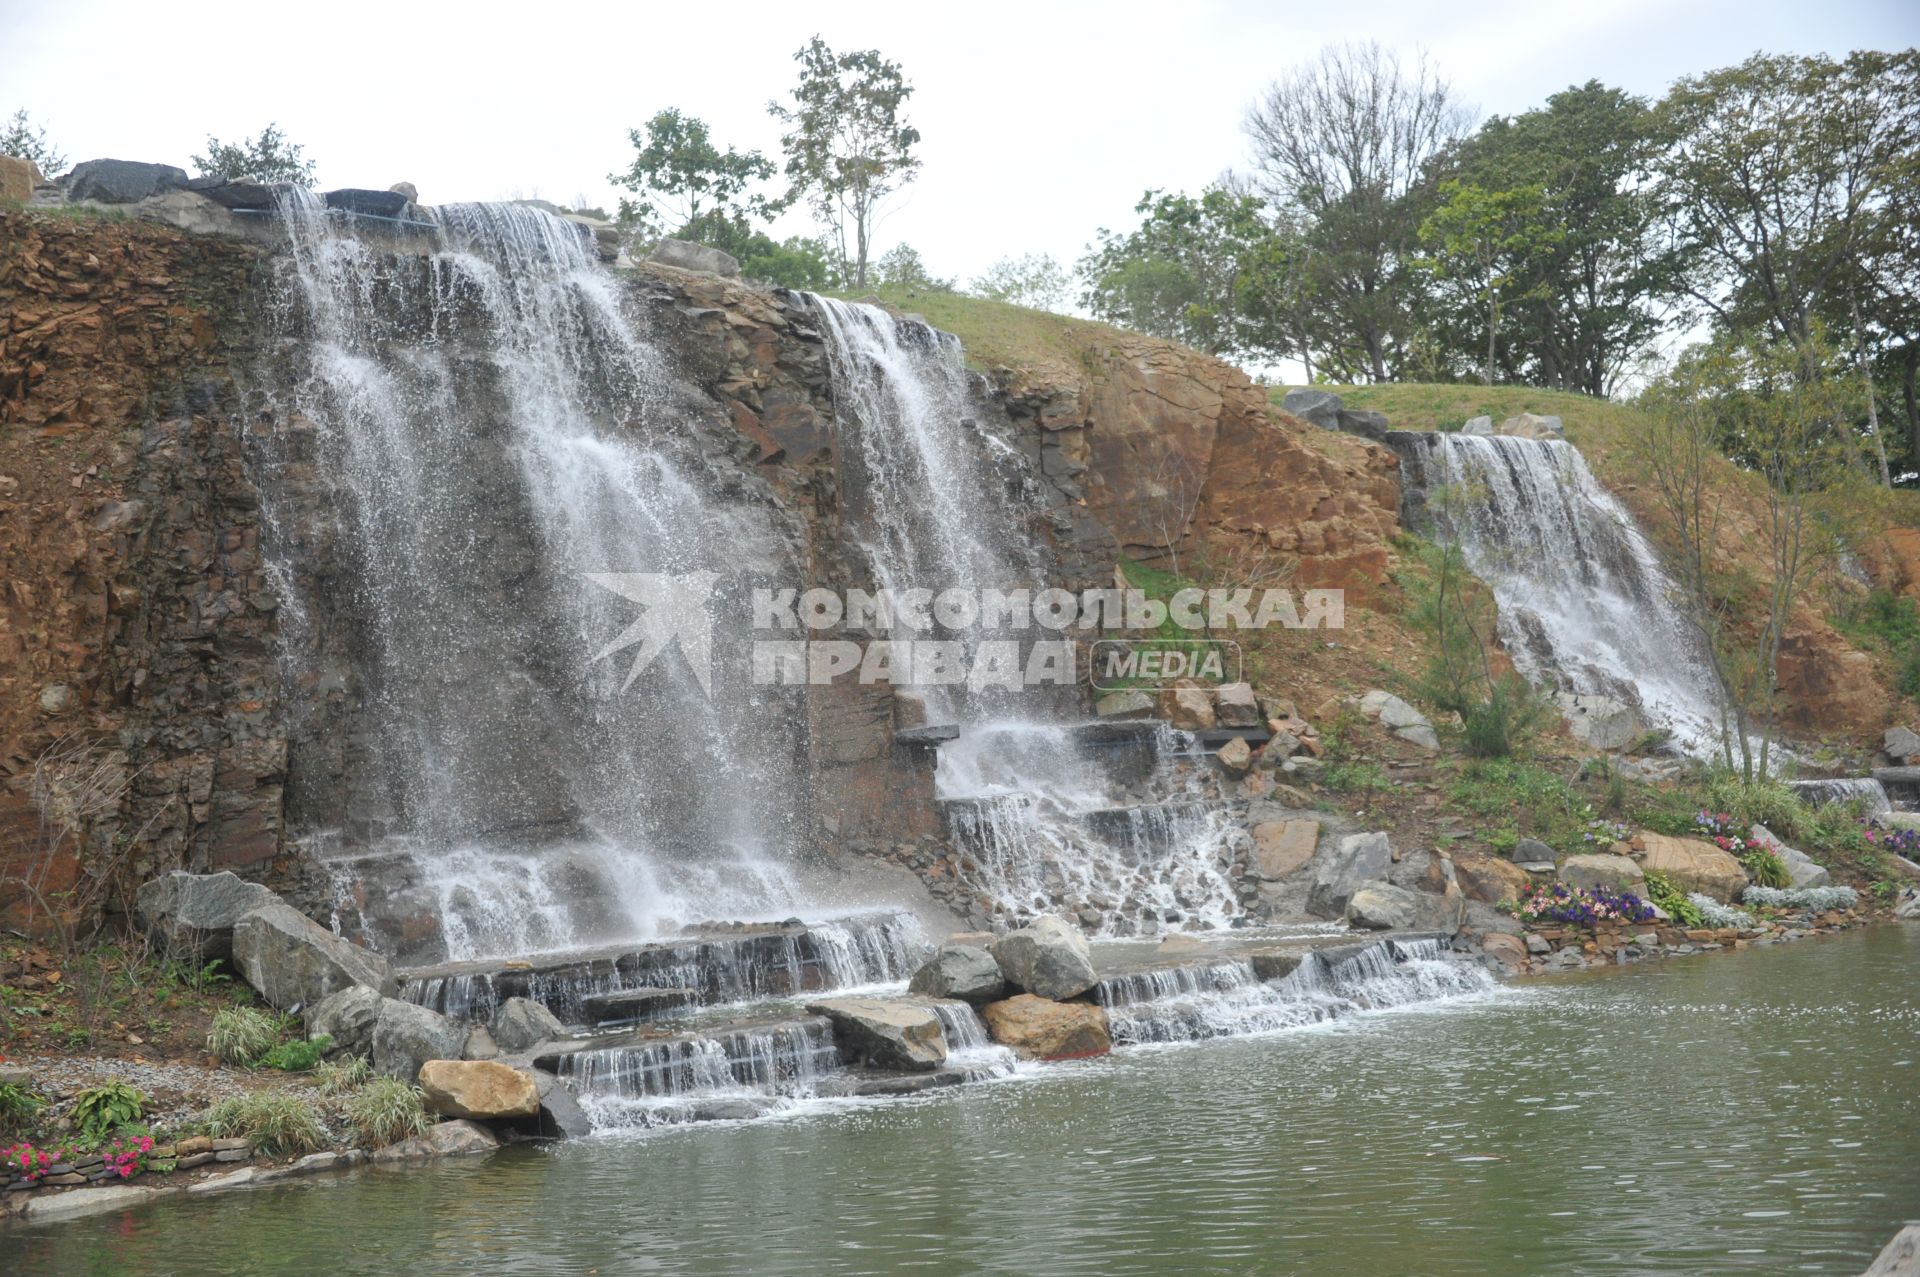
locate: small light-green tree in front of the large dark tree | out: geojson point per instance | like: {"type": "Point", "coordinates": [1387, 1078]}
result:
{"type": "Point", "coordinates": [1491, 243]}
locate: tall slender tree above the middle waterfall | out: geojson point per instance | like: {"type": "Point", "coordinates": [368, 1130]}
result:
{"type": "Point", "coordinates": [848, 145]}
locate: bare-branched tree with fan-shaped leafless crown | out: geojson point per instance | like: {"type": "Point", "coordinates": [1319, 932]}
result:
{"type": "Point", "coordinates": [1347, 139]}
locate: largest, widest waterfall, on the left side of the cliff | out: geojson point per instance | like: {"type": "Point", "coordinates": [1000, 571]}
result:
{"type": "Point", "coordinates": [487, 420]}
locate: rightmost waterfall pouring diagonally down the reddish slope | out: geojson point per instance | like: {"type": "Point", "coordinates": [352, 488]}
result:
{"type": "Point", "coordinates": [1585, 604]}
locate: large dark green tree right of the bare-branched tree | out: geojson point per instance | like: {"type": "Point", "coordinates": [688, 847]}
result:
{"type": "Point", "coordinates": [1604, 289]}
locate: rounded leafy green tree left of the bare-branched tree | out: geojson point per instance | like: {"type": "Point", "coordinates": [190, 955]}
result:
{"type": "Point", "coordinates": [1207, 272]}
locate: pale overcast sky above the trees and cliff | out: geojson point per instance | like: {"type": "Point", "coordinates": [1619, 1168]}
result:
{"type": "Point", "coordinates": [1042, 122]}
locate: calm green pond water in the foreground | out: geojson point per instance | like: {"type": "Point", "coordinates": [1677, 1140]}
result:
{"type": "Point", "coordinates": [1721, 1115]}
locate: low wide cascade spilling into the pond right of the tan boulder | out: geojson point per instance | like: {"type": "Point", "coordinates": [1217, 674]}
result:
{"type": "Point", "coordinates": [1226, 1000]}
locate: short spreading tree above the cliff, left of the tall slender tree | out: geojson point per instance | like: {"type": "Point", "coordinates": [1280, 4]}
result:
{"type": "Point", "coordinates": [683, 180]}
